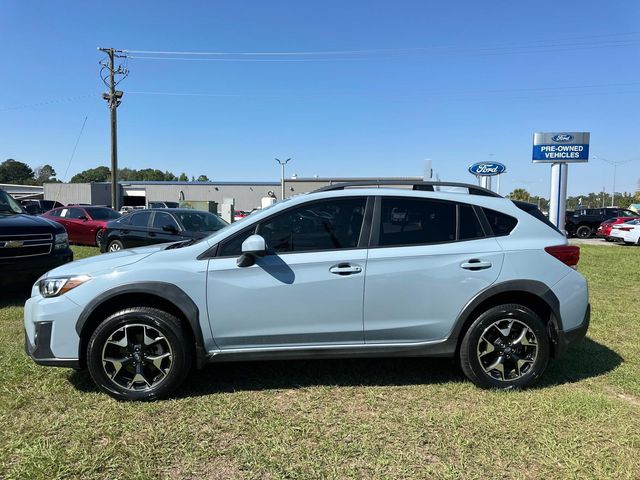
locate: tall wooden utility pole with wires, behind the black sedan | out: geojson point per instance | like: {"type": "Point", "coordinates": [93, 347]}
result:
{"type": "Point", "coordinates": [113, 98]}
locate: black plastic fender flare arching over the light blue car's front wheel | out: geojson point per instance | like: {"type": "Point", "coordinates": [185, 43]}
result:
{"type": "Point", "coordinates": [167, 291]}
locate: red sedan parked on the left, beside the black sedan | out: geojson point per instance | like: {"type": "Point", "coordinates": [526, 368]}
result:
{"type": "Point", "coordinates": [84, 225]}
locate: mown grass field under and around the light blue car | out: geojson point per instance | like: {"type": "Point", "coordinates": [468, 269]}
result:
{"type": "Point", "coordinates": [393, 418]}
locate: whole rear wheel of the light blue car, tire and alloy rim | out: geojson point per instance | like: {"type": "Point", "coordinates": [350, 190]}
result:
{"type": "Point", "coordinates": [521, 363]}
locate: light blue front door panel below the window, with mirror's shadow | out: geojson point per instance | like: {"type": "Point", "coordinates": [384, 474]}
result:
{"type": "Point", "coordinates": [287, 300]}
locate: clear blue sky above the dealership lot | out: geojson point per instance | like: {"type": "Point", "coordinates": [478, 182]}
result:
{"type": "Point", "coordinates": [474, 83]}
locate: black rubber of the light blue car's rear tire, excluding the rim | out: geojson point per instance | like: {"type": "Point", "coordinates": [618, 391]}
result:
{"type": "Point", "coordinates": [469, 358]}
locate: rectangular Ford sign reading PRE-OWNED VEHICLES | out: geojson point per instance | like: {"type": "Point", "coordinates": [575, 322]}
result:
{"type": "Point", "coordinates": [561, 147]}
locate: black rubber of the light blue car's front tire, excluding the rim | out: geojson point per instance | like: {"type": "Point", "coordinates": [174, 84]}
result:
{"type": "Point", "coordinates": [169, 328]}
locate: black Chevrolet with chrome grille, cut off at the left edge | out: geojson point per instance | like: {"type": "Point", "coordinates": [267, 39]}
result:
{"type": "Point", "coordinates": [29, 246]}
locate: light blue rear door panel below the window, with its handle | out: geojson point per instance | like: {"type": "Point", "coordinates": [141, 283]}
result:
{"type": "Point", "coordinates": [414, 294]}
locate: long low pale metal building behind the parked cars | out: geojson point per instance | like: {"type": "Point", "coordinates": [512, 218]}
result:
{"type": "Point", "coordinates": [247, 195]}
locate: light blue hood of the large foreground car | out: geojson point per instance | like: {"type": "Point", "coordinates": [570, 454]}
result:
{"type": "Point", "coordinates": [105, 261]}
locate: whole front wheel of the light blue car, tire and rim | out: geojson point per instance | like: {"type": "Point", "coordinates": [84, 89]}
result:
{"type": "Point", "coordinates": [139, 353]}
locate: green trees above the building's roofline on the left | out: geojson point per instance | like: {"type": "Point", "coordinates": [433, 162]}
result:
{"type": "Point", "coordinates": [19, 173]}
